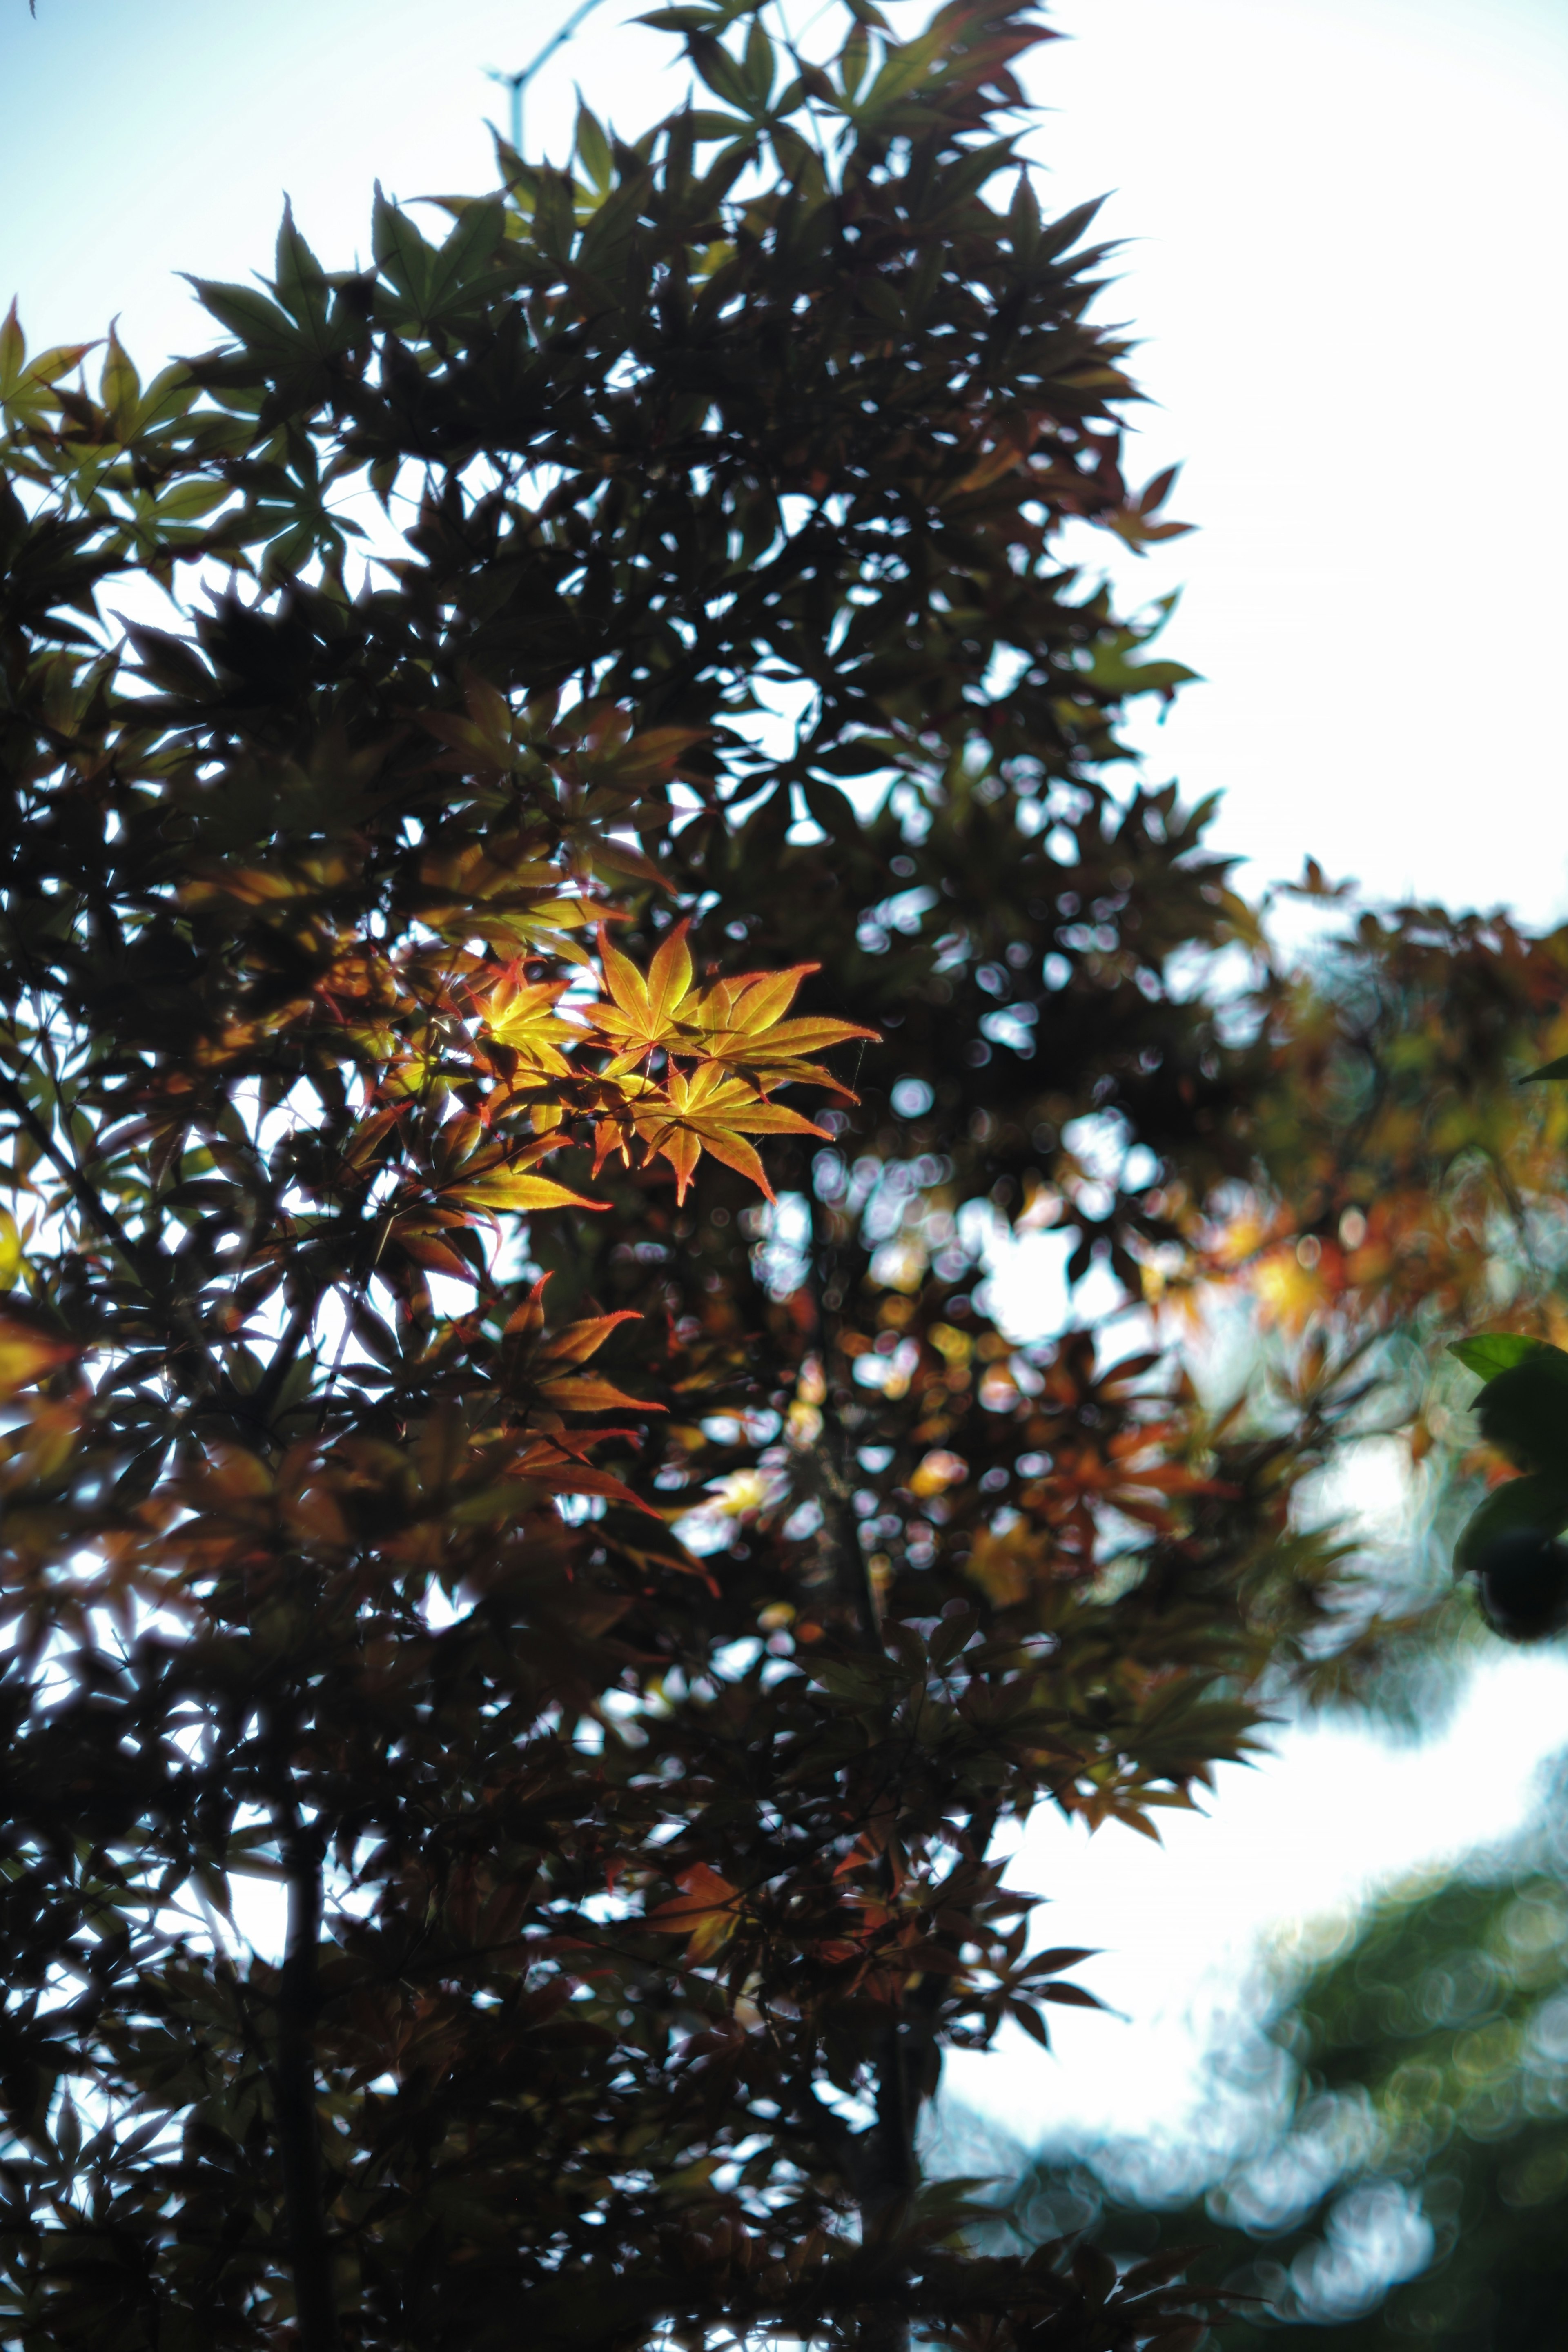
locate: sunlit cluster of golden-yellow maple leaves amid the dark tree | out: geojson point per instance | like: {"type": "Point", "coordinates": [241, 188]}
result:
{"type": "Point", "coordinates": [483, 1060]}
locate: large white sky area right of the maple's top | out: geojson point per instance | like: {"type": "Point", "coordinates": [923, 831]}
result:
{"type": "Point", "coordinates": [1346, 248]}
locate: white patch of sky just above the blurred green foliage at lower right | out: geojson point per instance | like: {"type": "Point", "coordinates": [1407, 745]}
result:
{"type": "Point", "coordinates": [1275, 1864]}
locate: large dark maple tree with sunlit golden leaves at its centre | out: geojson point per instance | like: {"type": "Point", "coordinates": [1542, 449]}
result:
{"type": "Point", "coordinates": [631, 1742]}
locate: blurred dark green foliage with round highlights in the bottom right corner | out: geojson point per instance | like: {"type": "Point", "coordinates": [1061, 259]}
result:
{"type": "Point", "coordinates": [1407, 2167]}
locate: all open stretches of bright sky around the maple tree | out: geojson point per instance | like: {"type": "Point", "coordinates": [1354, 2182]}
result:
{"type": "Point", "coordinates": [1348, 227]}
